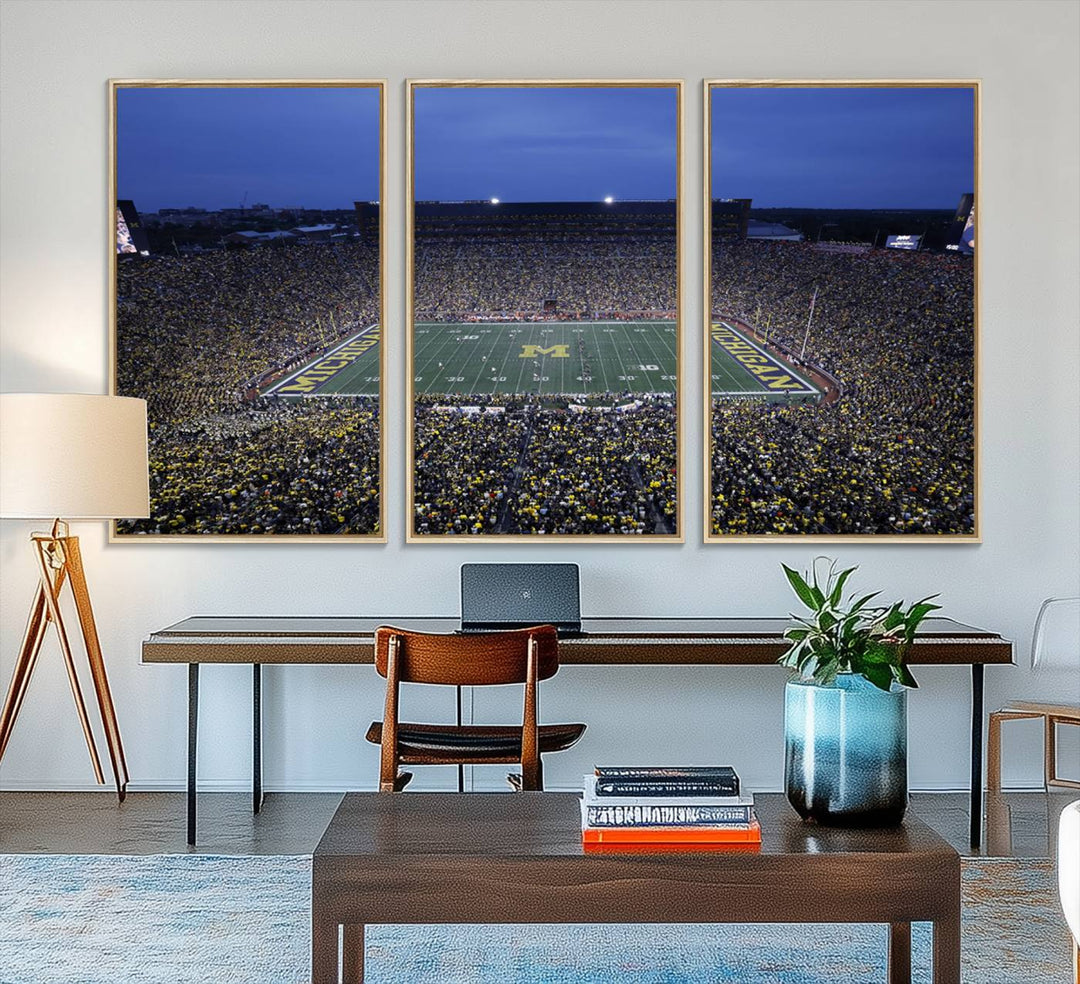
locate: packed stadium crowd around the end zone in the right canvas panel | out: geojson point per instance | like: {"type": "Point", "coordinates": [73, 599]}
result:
{"type": "Point", "coordinates": [896, 455]}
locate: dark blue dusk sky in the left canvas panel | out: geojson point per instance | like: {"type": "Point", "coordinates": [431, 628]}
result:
{"type": "Point", "coordinates": [314, 147]}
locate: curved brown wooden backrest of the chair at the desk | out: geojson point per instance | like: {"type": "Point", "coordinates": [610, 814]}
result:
{"type": "Point", "coordinates": [469, 661]}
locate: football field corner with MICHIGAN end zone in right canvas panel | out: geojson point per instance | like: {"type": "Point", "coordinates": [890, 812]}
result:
{"type": "Point", "coordinates": [741, 368]}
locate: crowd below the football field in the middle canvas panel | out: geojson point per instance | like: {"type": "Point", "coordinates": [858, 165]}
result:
{"type": "Point", "coordinates": [511, 465]}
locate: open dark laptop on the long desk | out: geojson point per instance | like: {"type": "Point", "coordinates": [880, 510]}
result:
{"type": "Point", "coordinates": [501, 597]}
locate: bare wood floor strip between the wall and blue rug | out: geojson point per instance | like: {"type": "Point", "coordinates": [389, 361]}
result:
{"type": "Point", "coordinates": [1021, 825]}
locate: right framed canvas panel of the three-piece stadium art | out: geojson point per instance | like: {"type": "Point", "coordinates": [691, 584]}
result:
{"type": "Point", "coordinates": [842, 300]}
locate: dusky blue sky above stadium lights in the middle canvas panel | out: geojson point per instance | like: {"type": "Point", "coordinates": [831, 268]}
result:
{"type": "Point", "coordinates": [533, 144]}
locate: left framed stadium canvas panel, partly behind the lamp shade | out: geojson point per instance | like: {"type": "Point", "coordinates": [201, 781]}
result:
{"type": "Point", "coordinates": [248, 305]}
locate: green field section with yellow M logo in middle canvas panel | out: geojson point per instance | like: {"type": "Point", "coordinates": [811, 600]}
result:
{"type": "Point", "coordinates": [582, 357]}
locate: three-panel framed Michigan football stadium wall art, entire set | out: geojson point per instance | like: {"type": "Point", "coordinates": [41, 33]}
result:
{"type": "Point", "coordinates": [545, 331]}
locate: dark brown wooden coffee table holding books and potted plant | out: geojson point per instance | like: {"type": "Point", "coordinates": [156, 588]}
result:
{"type": "Point", "coordinates": [496, 858]}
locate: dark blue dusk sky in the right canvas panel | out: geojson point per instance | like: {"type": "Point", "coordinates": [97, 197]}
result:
{"type": "Point", "coordinates": [844, 147]}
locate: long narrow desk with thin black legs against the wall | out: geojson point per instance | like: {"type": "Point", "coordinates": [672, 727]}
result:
{"type": "Point", "coordinates": [604, 641]}
